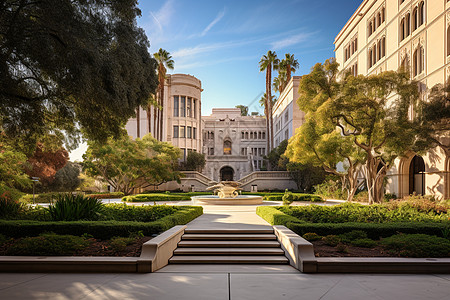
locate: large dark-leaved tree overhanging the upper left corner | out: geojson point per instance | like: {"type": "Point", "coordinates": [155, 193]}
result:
{"type": "Point", "coordinates": [70, 64]}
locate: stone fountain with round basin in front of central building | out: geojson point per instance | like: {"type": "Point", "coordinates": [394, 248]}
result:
{"type": "Point", "coordinates": [227, 194]}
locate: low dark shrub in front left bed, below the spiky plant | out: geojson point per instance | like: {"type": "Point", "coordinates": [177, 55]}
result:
{"type": "Point", "coordinates": [48, 244]}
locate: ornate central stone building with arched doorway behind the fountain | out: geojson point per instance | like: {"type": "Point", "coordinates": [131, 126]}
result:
{"type": "Point", "coordinates": [234, 145]}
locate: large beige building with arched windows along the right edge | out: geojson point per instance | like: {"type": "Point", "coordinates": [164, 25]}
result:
{"type": "Point", "coordinates": [386, 34]}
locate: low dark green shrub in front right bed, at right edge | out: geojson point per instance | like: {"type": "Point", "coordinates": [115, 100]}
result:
{"type": "Point", "coordinates": [417, 245]}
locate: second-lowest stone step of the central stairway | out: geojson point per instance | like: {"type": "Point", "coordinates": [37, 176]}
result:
{"type": "Point", "coordinates": [228, 251]}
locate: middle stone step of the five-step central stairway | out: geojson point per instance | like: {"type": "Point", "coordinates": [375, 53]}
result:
{"type": "Point", "coordinates": [229, 244]}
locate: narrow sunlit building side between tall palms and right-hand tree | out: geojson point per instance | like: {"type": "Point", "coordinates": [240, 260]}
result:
{"type": "Point", "coordinates": [286, 114]}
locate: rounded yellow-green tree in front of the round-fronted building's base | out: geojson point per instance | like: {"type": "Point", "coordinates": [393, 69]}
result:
{"type": "Point", "coordinates": [127, 164]}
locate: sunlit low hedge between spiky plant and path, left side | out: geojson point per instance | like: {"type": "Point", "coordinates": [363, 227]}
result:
{"type": "Point", "coordinates": [147, 213]}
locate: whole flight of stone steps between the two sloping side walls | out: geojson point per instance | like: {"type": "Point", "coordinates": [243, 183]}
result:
{"type": "Point", "coordinates": [228, 246]}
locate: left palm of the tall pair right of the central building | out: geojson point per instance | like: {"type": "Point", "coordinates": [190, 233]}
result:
{"type": "Point", "coordinates": [266, 63]}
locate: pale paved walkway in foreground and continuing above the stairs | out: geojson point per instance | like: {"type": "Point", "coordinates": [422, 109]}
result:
{"type": "Point", "coordinates": [225, 282]}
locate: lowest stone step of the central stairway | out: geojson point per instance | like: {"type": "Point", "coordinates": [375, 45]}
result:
{"type": "Point", "coordinates": [200, 259]}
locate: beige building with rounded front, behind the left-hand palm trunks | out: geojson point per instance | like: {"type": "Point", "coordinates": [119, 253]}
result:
{"type": "Point", "coordinates": [181, 114]}
